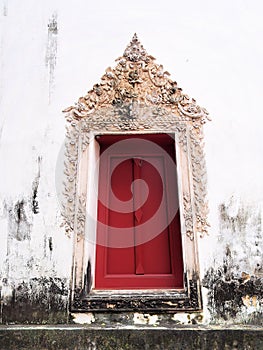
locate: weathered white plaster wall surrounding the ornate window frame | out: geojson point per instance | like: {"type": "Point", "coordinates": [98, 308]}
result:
{"type": "Point", "coordinates": [51, 53]}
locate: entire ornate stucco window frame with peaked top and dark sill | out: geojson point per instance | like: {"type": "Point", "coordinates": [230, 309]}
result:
{"type": "Point", "coordinates": [135, 97]}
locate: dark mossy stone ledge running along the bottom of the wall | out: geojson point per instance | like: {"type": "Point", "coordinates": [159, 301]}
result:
{"type": "Point", "coordinates": [89, 337]}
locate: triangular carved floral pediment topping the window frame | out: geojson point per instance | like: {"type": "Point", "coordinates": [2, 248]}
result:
{"type": "Point", "coordinates": [137, 81]}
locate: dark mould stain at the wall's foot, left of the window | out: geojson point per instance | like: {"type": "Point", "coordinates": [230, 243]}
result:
{"type": "Point", "coordinates": [40, 301]}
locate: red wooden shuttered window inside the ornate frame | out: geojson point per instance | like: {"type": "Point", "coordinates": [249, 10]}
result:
{"type": "Point", "coordinates": [138, 234]}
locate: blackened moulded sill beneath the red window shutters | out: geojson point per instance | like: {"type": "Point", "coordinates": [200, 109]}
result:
{"type": "Point", "coordinates": [139, 300]}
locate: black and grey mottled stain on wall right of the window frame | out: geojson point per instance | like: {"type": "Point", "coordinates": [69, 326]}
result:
{"type": "Point", "coordinates": [231, 289]}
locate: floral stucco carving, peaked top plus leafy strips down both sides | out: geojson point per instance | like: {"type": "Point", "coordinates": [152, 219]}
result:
{"type": "Point", "coordinates": [136, 96]}
